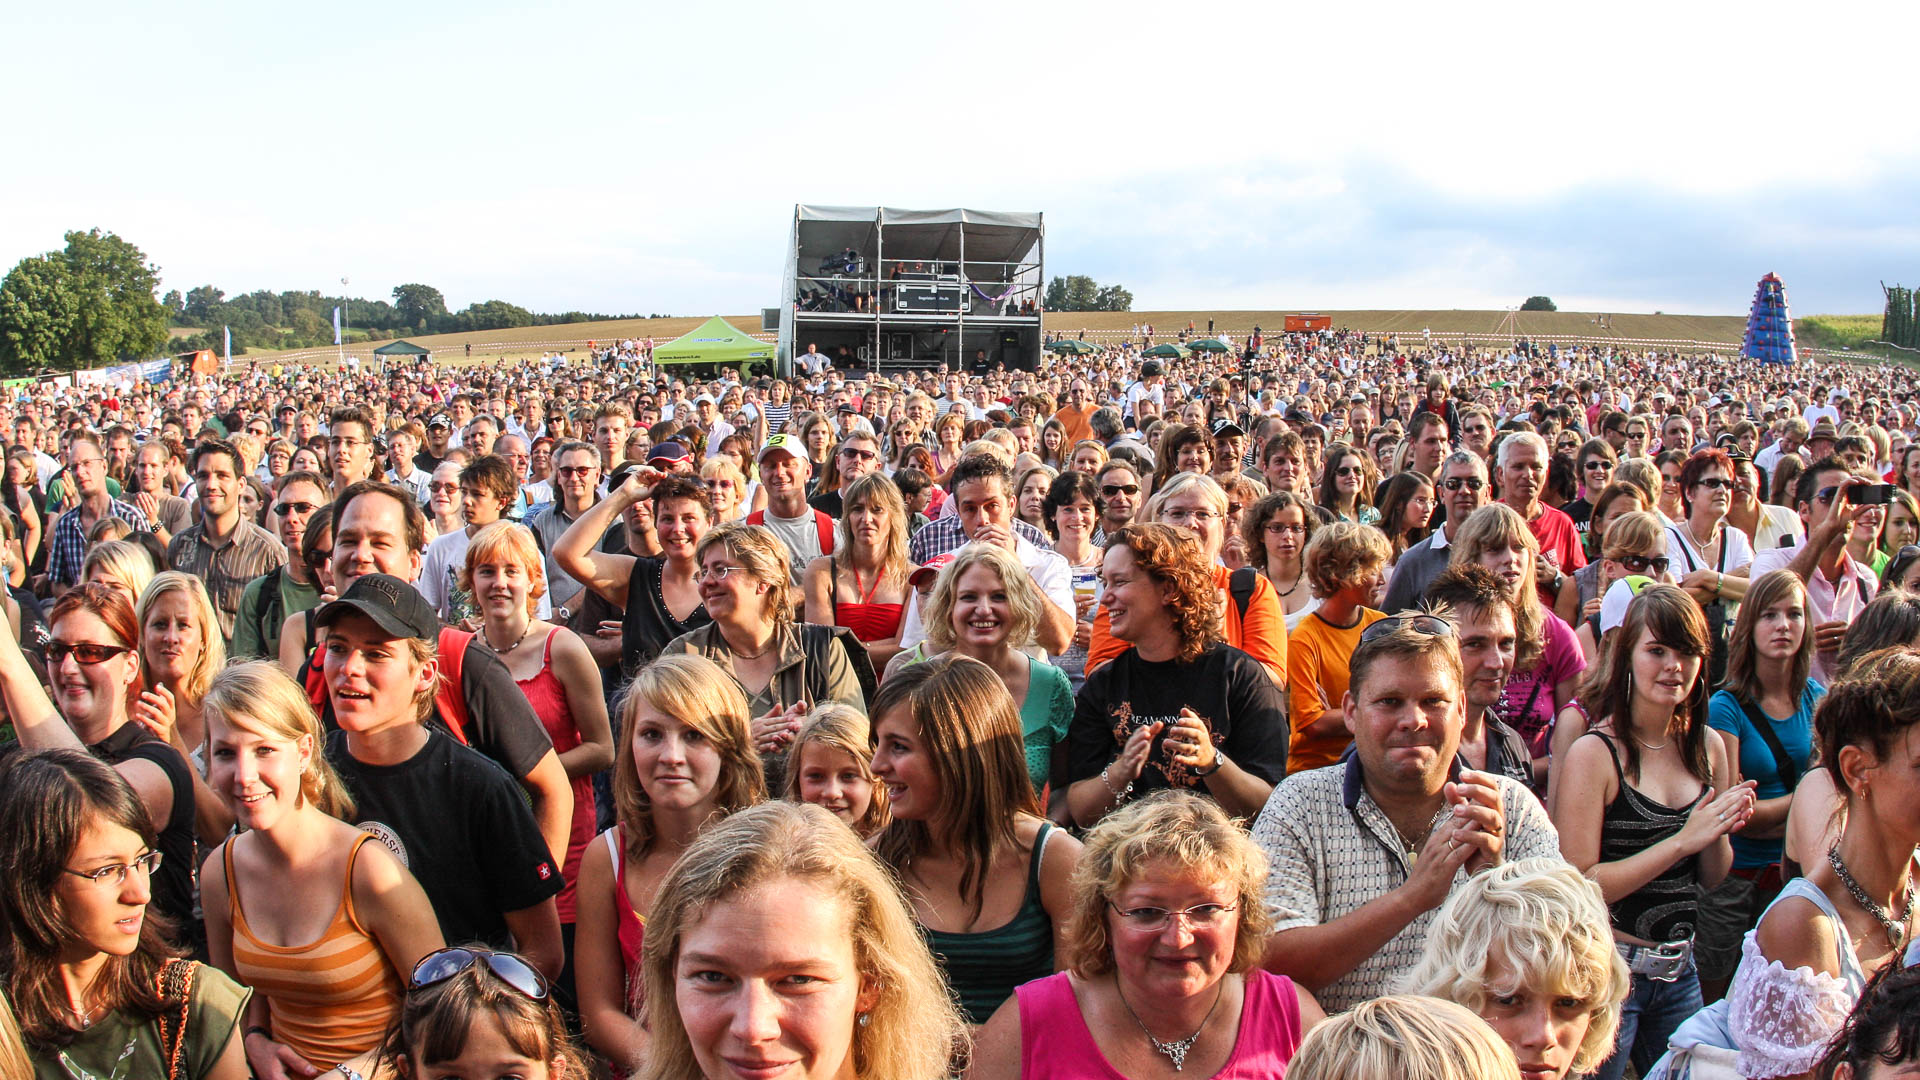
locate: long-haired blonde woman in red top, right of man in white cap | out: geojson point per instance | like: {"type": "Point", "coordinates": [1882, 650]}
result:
{"type": "Point", "coordinates": [863, 583]}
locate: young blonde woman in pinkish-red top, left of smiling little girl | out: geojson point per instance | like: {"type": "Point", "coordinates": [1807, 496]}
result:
{"type": "Point", "coordinates": [686, 760]}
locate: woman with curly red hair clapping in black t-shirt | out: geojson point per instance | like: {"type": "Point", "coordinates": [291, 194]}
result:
{"type": "Point", "coordinates": [1178, 708]}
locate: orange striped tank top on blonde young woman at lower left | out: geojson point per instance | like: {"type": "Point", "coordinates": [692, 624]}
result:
{"type": "Point", "coordinates": [333, 998]}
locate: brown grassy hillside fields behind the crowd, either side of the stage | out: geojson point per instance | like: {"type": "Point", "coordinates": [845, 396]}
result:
{"type": "Point", "coordinates": [1821, 331]}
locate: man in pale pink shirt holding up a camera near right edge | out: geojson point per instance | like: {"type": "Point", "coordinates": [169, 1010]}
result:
{"type": "Point", "coordinates": [1838, 587]}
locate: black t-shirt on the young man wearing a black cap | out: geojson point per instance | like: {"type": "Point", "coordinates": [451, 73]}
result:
{"type": "Point", "coordinates": [462, 825]}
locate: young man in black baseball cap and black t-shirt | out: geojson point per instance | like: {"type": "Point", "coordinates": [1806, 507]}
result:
{"type": "Point", "coordinates": [456, 822]}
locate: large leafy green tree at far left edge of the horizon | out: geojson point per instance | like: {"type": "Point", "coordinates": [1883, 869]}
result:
{"type": "Point", "coordinates": [84, 307]}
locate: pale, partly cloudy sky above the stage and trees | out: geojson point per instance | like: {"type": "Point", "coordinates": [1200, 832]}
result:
{"type": "Point", "coordinates": [638, 159]}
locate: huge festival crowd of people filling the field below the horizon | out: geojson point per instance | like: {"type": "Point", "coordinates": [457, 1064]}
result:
{"type": "Point", "coordinates": [1345, 706]}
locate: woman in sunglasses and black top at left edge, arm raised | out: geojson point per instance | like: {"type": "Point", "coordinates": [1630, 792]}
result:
{"type": "Point", "coordinates": [95, 674]}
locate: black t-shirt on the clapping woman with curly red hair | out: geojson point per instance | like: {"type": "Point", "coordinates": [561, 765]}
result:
{"type": "Point", "coordinates": [1230, 691]}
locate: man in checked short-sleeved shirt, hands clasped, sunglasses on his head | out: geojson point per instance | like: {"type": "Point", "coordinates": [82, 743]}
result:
{"type": "Point", "coordinates": [1366, 850]}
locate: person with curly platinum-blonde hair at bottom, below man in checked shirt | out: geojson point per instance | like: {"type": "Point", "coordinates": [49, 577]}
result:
{"type": "Point", "coordinates": [1527, 946]}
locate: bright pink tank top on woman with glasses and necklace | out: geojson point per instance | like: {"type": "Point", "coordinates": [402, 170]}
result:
{"type": "Point", "coordinates": [1057, 1044]}
